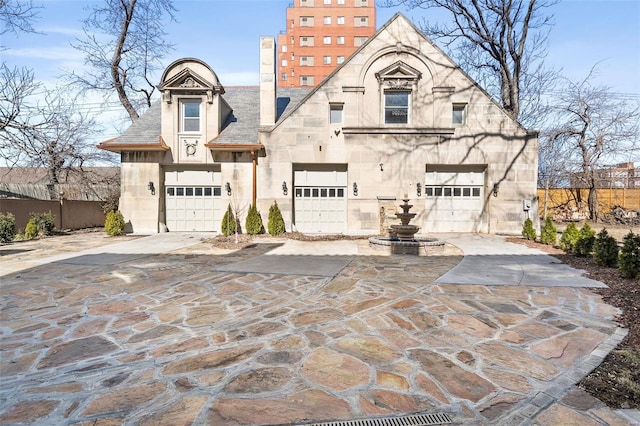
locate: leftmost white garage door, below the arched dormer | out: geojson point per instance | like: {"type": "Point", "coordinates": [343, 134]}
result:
{"type": "Point", "coordinates": [193, 208]}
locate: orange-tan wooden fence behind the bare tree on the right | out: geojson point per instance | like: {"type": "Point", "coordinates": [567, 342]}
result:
{"type": "Point", "coordinates": [571, 204]}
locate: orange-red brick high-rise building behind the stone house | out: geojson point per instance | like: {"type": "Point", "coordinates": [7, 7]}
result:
{"type": "Point", "coordinates": [320, 35]}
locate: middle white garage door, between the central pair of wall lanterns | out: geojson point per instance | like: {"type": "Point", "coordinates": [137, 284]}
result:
{"type": "Point", "coordinates": [320, 201]}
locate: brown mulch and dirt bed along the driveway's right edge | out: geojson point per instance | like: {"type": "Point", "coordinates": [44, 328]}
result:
{"type": "Point", "coordinates": [616, 381]}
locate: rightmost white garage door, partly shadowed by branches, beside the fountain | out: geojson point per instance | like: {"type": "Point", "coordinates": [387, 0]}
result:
{"type": "Point", "coordinates": [453, 201]}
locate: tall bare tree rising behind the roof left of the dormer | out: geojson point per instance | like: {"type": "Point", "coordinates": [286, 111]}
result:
{"type": "Point", "coordinates": [124, 44]}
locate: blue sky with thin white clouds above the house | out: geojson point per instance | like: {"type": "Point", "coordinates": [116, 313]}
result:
{"type": "Point", "coordinates": [225, 34]}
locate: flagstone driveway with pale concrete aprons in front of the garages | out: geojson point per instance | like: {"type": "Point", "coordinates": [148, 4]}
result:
{"type": "Point", "coordinates": [290, 332]}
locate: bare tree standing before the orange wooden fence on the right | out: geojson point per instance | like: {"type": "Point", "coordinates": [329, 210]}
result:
{"type": "Point", "coordinates": [591, 128]}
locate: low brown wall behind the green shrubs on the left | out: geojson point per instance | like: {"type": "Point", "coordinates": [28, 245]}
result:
{"type": "Point", "coordinates": [69, 214]}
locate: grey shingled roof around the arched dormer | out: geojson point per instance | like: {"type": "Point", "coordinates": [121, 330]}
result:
{"type": "Point", "coordinates": [241, 127]}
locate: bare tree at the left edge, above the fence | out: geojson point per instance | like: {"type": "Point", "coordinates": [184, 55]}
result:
{"type": "Point", "coordinates": [43, 128]}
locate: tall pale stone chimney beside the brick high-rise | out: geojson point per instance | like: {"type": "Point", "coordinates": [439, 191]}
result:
{"type": "Point", "coordinates": [267, 81]}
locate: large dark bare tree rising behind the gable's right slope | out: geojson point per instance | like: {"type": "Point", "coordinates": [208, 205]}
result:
{"type": "Point", "coordinates": [501, 43]}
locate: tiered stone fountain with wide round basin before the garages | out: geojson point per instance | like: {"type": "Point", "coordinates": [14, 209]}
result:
{"type": "Point", "coordinates": [402, 237]}
